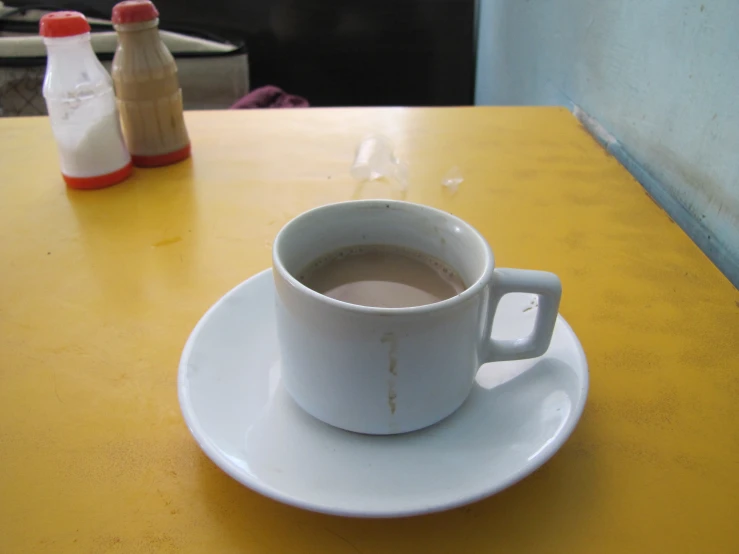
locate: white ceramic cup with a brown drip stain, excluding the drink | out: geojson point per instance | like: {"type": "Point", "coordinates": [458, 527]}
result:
{"type": "Point", "coordinates": [394, 370]}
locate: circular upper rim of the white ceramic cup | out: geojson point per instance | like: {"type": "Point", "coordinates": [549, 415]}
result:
{"type": "Point", "coordinates": [470, 291]}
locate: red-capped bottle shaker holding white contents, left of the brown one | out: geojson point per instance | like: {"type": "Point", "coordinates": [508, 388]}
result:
{"type": "Point", "coordinates": [81, 104]}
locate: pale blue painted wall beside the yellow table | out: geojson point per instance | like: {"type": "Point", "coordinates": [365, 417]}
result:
{"type": "Point", "coordinates": [660, 76]}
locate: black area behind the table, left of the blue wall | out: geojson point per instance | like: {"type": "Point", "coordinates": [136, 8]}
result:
{"type": "Point", "coordinates": [337, 52]}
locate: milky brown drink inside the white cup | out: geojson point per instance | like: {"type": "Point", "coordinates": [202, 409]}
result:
{"type": "Point", "coordinates": [382, 276]}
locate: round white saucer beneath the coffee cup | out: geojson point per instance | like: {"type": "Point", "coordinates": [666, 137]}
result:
{"type": "Point", "coordinates": [517, 417]}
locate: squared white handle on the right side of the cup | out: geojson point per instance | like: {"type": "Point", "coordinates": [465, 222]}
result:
{"type": "Point", "coordinates": [548, 288]}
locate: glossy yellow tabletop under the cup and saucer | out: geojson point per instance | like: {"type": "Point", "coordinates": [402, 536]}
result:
{"type": "Point", "coordinates": [99, 290]}
